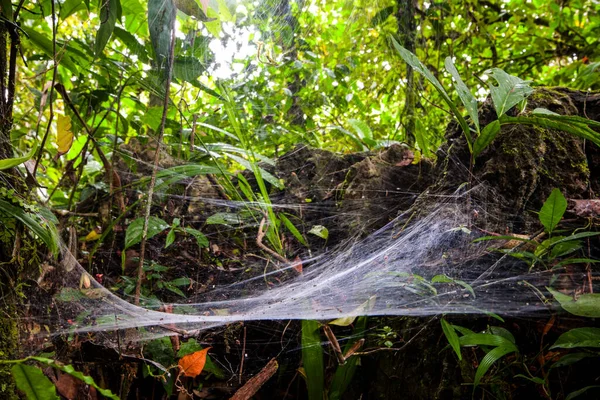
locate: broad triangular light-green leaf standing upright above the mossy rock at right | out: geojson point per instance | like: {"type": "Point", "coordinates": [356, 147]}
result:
{"type": "Point", "coordinates": [509, 91]}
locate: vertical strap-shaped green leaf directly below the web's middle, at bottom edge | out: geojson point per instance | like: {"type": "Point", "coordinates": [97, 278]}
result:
{"type": "Point", "coordinates": [312, 359]}
